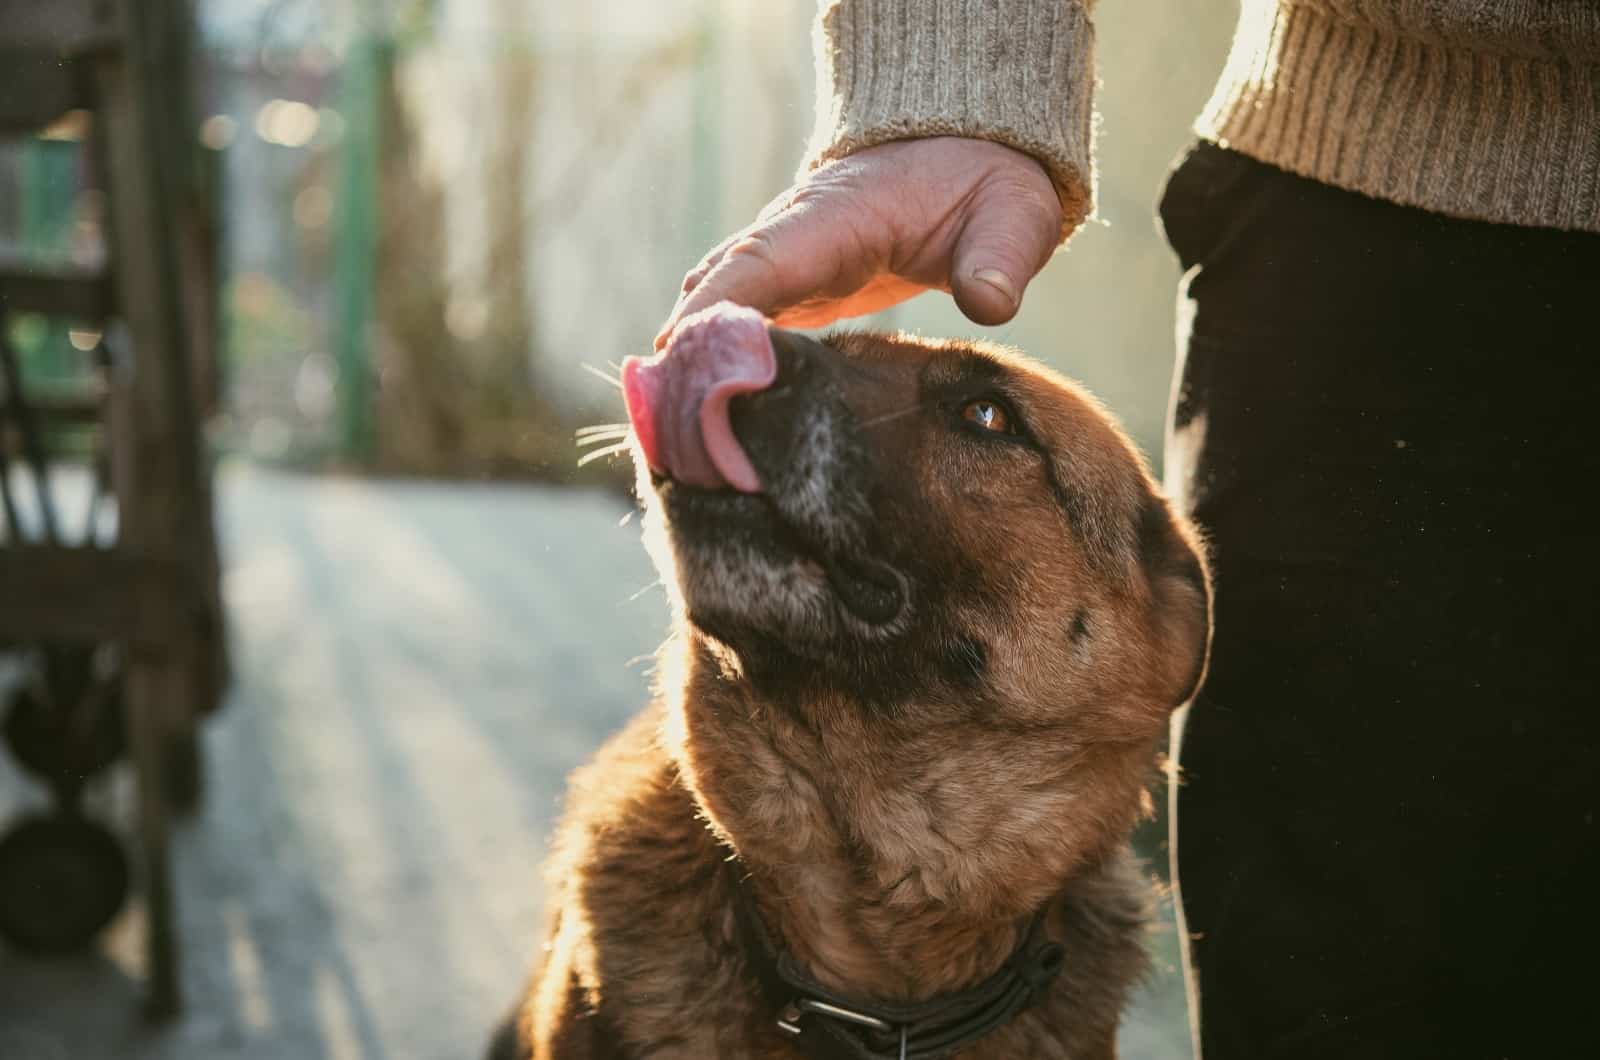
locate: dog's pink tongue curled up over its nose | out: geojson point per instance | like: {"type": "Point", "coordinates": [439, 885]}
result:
{"type": "Point", "coordinates": [679, 400]}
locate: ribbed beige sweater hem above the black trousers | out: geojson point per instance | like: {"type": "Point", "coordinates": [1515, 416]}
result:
{"type": "Point", "coordinates": [1434, 105]}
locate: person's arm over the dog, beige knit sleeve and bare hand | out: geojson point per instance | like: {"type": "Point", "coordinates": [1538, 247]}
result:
{"type": "Point", "coordinates": [951, 151]}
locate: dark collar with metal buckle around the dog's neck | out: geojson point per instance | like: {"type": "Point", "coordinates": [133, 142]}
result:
{"type": "Point", "coordinates": [830, 1027]}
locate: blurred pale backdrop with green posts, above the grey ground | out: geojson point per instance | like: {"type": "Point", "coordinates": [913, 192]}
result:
{"type": "Point", "coordinates": [438, 214]}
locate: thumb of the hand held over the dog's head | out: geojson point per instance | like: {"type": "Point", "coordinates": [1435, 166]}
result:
{"type": "Point", "coordinates": [1007, 239]}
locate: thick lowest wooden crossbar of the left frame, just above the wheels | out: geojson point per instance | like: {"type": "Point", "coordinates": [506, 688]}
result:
{"type": "Point", "coordinates": [54, 593]}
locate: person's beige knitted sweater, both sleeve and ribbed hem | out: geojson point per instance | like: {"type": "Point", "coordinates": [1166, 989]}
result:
{"type": "Point", "coordinates": [1484, 110]}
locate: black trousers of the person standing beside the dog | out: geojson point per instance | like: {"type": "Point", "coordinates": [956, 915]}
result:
{"type": "Point", "coordinates": [1386, 829]}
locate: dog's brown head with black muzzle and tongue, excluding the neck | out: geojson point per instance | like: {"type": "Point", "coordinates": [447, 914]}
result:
{"type": "Point", "coordinates": [914, 526]}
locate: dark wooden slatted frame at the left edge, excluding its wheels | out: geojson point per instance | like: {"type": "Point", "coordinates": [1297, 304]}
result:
{"type": "Point", "coordinates": [153, 593]}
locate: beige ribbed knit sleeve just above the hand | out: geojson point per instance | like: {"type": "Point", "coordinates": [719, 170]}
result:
{"type": "Point", "coordinates": [1017, 73]}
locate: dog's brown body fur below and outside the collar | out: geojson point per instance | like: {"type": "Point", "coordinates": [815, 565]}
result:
{"type": "Point", "coordinates": [642, 936]}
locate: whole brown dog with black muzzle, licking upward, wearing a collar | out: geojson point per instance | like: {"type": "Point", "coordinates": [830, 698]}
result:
{"type": "Point", "coordinates": [930, 620]}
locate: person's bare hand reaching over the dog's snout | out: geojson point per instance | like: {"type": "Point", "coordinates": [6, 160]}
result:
{"type": "Point", "coordinates": [967, 217]}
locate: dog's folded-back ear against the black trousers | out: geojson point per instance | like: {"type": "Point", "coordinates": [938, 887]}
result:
{"type": "Point", "coordinates": [1180, 582]}
